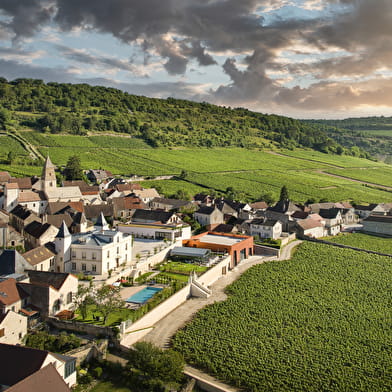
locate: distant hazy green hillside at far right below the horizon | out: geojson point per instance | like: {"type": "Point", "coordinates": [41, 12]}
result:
{"type": "Point", "coordinates": [372, 134]}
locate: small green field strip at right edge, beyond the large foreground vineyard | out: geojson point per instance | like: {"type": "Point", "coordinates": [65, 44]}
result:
{"type": "Point", "coordinates": [364, 241]}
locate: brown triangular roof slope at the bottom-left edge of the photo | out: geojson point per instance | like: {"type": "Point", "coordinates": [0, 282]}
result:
{"type": "Point", "coordinates": [46, 379]}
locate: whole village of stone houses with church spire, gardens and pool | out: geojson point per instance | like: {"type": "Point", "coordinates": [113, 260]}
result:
{"type": "Point", "coordinates": [135, 255]}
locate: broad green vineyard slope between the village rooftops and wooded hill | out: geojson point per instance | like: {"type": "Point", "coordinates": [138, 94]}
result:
{"type": "Point", "coordinates": [250, 172]}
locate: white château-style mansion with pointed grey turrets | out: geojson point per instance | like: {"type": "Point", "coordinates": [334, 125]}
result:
{"type": "Point", "coordinates": [96, 252]}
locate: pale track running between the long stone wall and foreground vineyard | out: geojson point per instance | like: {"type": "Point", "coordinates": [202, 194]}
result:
{"type": "Point", "coordinates": [169, 325]}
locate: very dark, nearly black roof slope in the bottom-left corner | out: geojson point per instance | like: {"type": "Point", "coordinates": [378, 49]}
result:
{"type": "Point", "coordinates": [17, 362]}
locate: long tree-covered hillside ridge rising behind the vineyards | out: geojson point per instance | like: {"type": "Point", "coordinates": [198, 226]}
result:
{"type": "Point", "coordinates": [78, 109]}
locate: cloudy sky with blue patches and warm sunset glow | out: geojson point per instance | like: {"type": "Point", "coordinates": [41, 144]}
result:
{"type": "Point", "coordinates": [299, 58]}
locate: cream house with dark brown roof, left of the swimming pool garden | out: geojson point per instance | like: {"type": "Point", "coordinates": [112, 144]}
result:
{"type": "Point", "coordinates": [50, 292]}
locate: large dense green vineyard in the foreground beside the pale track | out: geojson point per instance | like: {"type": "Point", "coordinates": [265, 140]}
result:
{"type": "Point", "coordinates": [319, 322]}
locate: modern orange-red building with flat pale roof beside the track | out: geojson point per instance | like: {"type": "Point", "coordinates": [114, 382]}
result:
{"type": "Point", "coordinates": [237, 246]}
